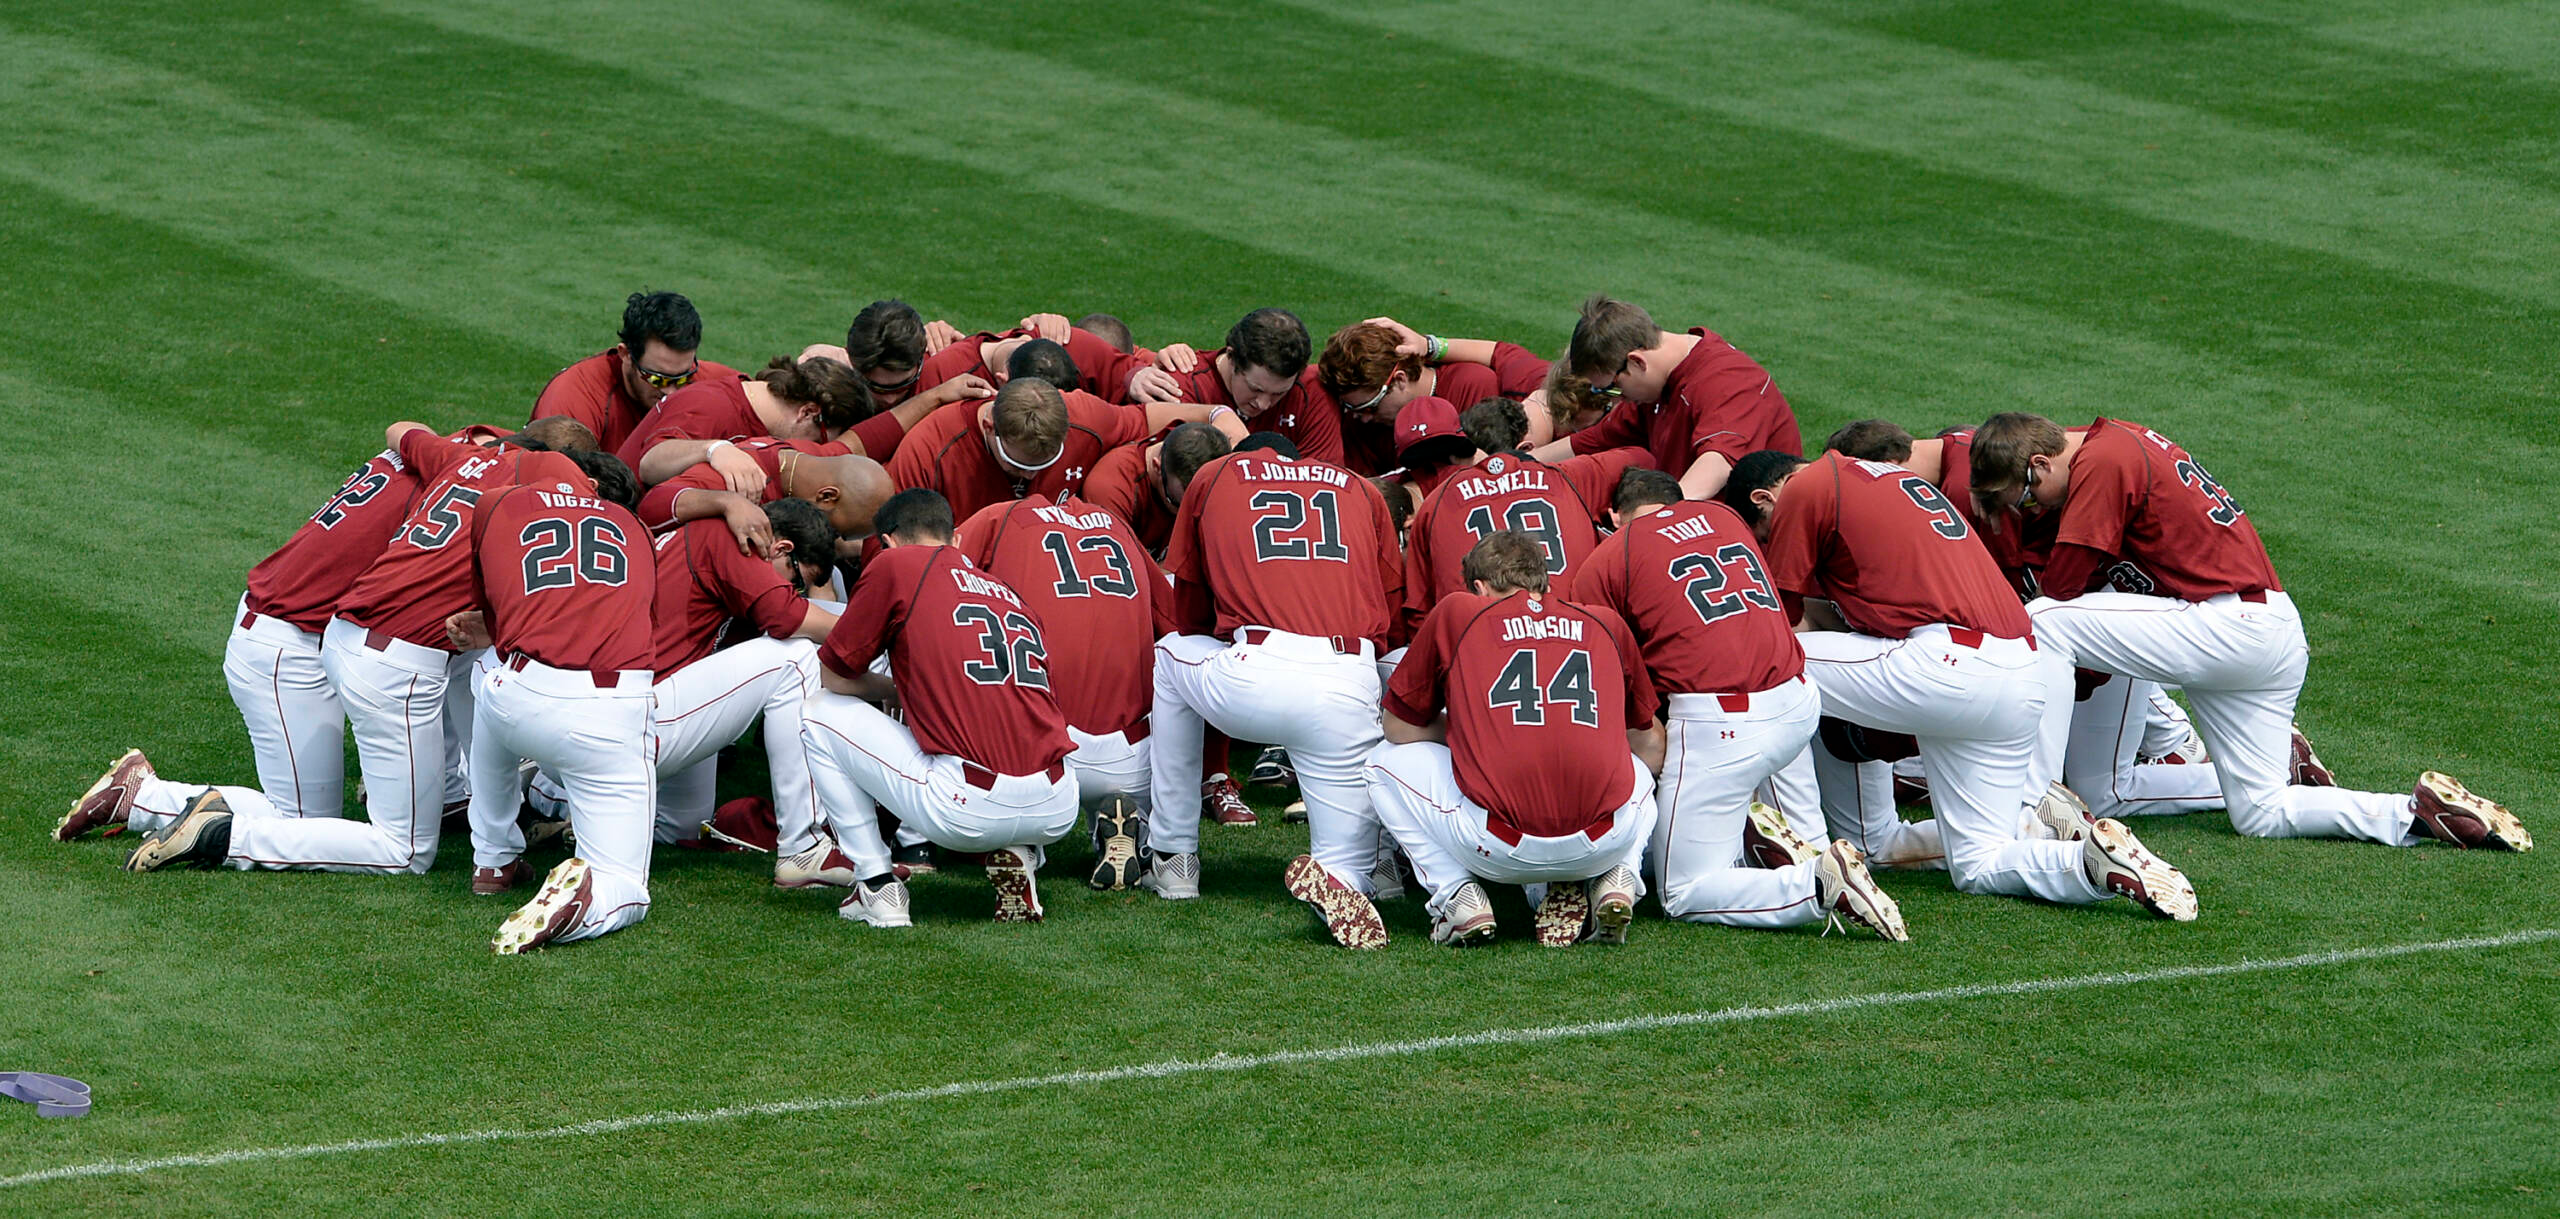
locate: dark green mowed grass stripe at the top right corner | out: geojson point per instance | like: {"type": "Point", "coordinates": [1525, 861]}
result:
{"type": "Point", "coordinates": [2277, 73]}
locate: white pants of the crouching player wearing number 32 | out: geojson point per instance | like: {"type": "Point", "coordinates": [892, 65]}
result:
{"type": "Point", "coordinates": [861, 757]}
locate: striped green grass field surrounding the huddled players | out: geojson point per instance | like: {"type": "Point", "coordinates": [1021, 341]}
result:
{"type": "Point", "coordinates": [2313, 242]}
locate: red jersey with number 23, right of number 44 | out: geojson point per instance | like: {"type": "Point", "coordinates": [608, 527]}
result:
{"type": "Point", "coordinates": [1696, 588]}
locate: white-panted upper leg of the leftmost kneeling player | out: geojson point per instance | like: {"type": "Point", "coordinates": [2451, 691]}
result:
{"type": "Point", "coordinates": [293, 716]}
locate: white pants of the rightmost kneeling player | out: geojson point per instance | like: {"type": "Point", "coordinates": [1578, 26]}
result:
{"type": "Point", "coordinates": [2241, 665]}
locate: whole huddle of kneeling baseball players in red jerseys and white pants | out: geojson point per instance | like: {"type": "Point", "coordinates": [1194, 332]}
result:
{"type": "Point", "coordinates": [1586, 626]}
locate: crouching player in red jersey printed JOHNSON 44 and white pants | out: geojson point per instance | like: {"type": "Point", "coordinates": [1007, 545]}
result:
{"type": "Point", "coordinates": [1535, 775]}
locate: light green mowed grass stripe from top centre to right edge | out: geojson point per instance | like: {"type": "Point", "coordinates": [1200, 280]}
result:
{"type": "Point", "coordinates": [2034, 127]}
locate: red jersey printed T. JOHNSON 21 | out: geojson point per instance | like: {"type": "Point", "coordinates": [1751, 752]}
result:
{"type": "Point", "coordinates": [1279, 544]}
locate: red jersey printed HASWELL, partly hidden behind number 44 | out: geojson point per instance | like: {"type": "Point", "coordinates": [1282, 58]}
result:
{"type": "Point", "coordinates": [1555, 503]}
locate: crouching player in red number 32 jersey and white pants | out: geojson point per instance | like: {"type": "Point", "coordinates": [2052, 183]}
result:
{"type": "Point", "coordinates": [982, 759]}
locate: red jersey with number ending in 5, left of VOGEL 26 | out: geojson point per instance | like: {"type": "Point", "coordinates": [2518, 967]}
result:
{"type": "Point", "coordinates": [424, 575]}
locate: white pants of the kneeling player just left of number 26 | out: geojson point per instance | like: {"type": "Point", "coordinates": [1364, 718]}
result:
{"type": "Point", "coordinates": [396, 700]}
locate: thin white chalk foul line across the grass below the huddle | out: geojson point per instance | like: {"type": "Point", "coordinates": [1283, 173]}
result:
{"type": "Point", "coordinates": [1338, 1054]}
